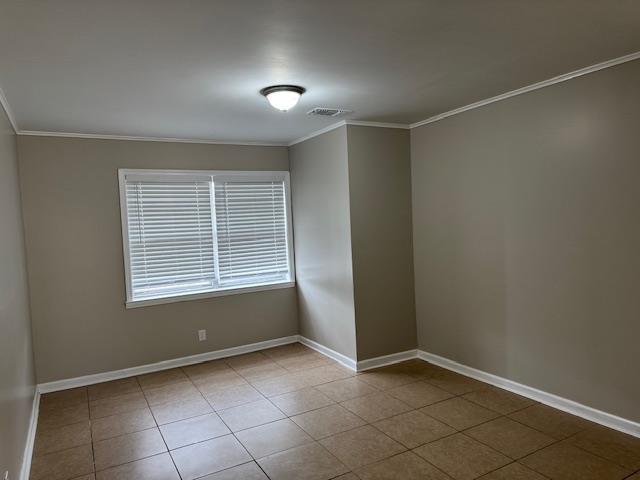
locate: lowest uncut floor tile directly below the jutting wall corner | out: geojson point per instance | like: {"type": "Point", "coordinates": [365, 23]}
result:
{"type": "Point", "coordinates": [361, 446]}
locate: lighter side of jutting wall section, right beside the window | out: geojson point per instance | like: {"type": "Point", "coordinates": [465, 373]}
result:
{"type": "Point", "coordinates": [321, 224]}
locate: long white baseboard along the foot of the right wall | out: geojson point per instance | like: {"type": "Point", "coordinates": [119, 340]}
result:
{"type": "Point", "coordinates": [569, 406]}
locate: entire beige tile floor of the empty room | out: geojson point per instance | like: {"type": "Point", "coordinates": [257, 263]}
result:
{"type": "Point", "coordinates": [290, 413]}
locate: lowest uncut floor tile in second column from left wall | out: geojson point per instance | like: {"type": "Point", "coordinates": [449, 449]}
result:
{"type": "Point", "coordinates": [127, 448]}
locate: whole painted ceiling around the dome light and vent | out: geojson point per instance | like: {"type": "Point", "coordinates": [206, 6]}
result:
{"type": "Point", "coordinates": [192, 69]}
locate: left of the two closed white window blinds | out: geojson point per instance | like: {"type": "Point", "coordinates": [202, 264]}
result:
{"type": "Point", "coordinates": [170, 237]}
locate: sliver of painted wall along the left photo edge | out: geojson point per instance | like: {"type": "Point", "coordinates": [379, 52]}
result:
{"type": "Point", "coordinates": [17, 379]}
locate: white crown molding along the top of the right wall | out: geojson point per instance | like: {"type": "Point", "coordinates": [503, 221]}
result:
{"type": "Point", "coordinates": [530, 88]}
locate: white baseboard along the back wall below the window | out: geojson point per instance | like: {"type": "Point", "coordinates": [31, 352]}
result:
{"type": "Point", "coordinates": [154, 367]}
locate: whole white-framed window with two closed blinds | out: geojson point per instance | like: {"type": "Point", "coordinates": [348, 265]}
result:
{"type": "Point", "coordinates": [191, 234]}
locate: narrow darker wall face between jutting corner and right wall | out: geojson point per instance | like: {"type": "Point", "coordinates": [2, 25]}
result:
{"type": "Point", "coordinates": [381, 240]}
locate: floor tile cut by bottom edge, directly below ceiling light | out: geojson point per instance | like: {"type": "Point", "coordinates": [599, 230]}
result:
{"type": "Point", "coordinates": [308, 462]}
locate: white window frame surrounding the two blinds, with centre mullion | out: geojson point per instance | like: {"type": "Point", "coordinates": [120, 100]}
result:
{"type": "Point", "coordinates": [150, 175]}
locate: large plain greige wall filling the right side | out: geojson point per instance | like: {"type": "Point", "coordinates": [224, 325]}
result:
{"type": "Point", "coordinates": [526, 233]}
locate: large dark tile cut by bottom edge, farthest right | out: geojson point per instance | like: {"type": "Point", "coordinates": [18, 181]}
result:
{"type": "Point", "coordinates": [563, 461]}
